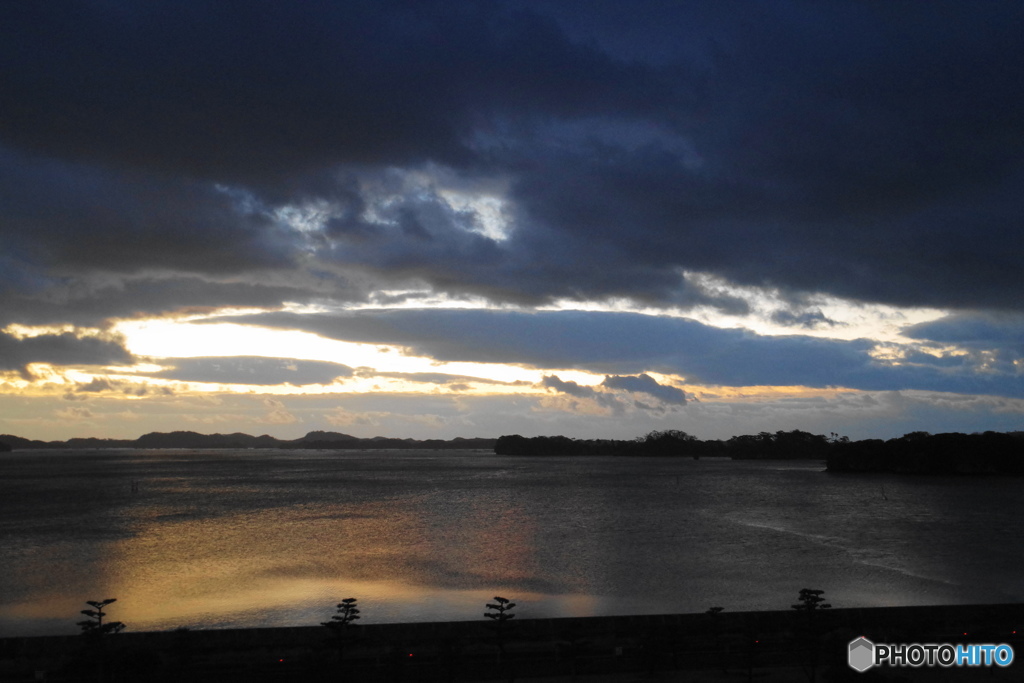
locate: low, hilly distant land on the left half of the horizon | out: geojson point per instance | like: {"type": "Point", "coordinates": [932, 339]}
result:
{"type": "Point", "coordinates": [188, 440]}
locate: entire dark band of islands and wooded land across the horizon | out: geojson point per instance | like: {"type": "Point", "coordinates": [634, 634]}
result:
{"type": "Point", "coordinates": [916, 453]}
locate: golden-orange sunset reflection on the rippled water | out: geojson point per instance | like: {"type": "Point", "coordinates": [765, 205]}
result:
{"type": "Point", "coordinates": [298, 563]}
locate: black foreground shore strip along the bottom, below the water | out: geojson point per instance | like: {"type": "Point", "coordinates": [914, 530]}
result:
{"type": "Point", "coordinates": [546, 648]}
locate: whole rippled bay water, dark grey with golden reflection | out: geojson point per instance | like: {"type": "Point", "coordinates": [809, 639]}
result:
{"type": "Point", "coordinates": [224, 539]}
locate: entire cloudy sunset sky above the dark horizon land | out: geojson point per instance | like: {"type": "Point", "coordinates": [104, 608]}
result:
{"type": "Point", "coordinates": [435, 220]}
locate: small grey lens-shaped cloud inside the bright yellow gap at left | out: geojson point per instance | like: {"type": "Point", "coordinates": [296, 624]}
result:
{"type": "Point", "coordinates": [253, 370]}
